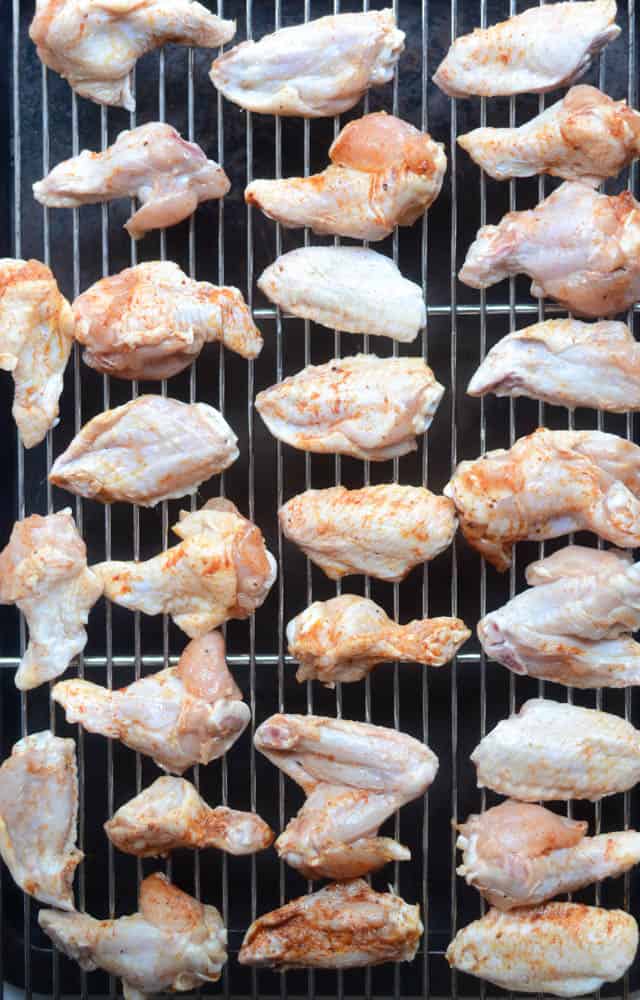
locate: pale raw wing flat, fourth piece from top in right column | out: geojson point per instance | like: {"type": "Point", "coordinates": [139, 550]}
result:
{"type": "Point", "coordinates": [567, 363]}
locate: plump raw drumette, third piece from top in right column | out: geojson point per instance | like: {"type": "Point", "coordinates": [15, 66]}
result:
{"type": "Point", "coordinates": [579, 247]}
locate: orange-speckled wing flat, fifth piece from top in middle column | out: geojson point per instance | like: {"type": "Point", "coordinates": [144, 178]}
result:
{"type": "Point", "coordinates": [383, 531]}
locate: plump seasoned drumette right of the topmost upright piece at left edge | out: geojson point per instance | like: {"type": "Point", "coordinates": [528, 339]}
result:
{"type": "Point", "coordinates": [151, 321]}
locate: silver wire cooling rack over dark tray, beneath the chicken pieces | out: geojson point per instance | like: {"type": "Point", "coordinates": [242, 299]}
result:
{"type": "Point", "coordinates": [227, 242]}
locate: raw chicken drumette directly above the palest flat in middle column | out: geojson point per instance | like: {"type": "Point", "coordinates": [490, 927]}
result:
{"type": "Point", "coordinates": [383, 173]}
